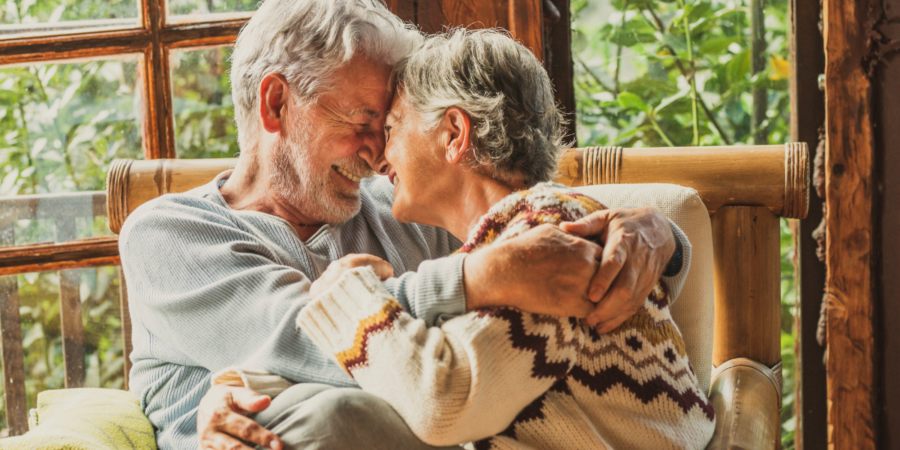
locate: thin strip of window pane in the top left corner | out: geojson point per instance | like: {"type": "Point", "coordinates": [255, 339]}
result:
{"type": "Point", "coordinates": [38, 17]}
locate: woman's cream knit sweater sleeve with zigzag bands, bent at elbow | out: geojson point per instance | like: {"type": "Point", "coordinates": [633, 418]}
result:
{"type": "Point", "coordinates": [460, 382]}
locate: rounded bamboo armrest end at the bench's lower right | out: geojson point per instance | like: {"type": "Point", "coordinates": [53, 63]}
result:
{"type": "Point", "coordinates": [746, 396]}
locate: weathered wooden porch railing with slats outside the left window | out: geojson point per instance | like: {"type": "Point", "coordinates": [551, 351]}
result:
{"type": "Point", "coordinates": [64, 255]}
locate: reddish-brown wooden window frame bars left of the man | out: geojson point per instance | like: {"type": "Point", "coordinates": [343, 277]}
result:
{"type": "Point", "coordinates": [154, 39]}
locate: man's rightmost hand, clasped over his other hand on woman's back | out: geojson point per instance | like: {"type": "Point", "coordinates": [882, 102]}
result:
{"type": "Point", "coordinates": [637, 246]}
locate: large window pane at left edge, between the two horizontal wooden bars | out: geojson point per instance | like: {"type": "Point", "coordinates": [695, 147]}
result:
{"type": "Point", "coordinates": [61, 125]}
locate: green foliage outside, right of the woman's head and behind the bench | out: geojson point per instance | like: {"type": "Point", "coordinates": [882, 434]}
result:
{"type": "Point", "coordinates": [677, 73]}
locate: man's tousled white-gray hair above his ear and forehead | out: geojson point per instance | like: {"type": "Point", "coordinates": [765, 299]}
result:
{"type": "Point", "coordinates": [306, 41]}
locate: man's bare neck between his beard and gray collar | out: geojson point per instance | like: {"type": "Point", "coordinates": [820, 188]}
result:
{"type": "Point", "coordinates": [245, 190]}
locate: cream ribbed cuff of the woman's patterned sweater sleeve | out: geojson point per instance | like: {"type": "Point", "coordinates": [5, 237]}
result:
{"type": "Point", "coordinates": [356, 302]}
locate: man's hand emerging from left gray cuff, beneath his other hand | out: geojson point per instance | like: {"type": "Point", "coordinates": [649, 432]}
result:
{"type": "Point", "coordinates": [542, 271]}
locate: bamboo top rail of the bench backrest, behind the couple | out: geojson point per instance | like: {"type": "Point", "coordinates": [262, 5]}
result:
{"type": "Point", "coordinates": [773, 176]}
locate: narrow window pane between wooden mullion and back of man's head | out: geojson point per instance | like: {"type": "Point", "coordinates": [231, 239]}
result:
{"type": "Point", "coordinates": [201, 96]}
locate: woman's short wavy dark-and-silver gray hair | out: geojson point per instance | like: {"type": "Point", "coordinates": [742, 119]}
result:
{"type": "Point", "coordinates": [503, 88]}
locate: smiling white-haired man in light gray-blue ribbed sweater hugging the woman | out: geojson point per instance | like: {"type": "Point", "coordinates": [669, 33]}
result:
{"type": "Point", "coordinates": [218, 275]}
